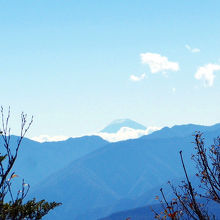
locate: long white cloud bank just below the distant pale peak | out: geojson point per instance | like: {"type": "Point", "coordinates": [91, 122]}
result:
{"type": "Point", "coordinates": [126, 133]}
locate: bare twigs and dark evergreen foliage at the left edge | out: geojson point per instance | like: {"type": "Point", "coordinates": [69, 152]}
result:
{"type": "Point", "coordinates": [13, 205]}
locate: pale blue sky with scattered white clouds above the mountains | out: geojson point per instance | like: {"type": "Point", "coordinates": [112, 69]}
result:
{"type": "Point", "coordinates": [77, 65]}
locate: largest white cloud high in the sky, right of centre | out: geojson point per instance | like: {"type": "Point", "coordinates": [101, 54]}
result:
{"type": "Point", "coordinates": [158, 63]}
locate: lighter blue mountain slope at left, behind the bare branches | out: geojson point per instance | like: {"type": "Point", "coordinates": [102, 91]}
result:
{"type": "Point", "coordinates": [38, 160]}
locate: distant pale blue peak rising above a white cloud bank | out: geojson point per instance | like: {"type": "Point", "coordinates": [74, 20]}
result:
{"type": "Point", "coordinates": [116, 125]}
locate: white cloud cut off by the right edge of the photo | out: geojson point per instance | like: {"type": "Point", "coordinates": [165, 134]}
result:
{"type": "Point", "coordinates": [206, 73]}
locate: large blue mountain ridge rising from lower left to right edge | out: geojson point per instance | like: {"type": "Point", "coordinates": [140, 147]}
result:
{"type": "Point", "coordinates": [121, 175]}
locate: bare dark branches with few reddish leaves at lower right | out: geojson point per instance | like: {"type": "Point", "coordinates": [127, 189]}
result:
{"type": "Point", "coordinates": [190, 202]}
